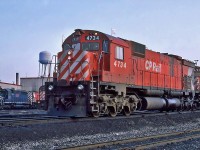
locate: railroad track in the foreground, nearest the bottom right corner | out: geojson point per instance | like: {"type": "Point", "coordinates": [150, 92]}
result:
{"type": "Point", "coordinates": [142, 143]}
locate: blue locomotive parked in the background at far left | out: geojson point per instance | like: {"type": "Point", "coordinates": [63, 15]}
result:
{"type": "Point", "coordinates": [11, 98]}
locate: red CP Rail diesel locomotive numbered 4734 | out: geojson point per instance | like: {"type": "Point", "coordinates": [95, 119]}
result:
{"type": "Point", "coordinates": [98, 74]}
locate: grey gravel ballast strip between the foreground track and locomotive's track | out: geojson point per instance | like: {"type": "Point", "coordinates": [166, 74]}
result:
{"type": "Point", "coordinates": [61, 135]}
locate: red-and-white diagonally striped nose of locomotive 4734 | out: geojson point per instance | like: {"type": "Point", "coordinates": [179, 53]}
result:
{"type": "Point", "coordinates": [74, 64]}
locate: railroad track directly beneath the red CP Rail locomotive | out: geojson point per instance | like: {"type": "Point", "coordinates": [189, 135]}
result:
{"type": "Point", "coordinates": [39, 119]}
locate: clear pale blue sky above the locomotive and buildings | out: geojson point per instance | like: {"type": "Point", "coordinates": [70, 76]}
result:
{"type": "Point", "coordinates": [28, 27]}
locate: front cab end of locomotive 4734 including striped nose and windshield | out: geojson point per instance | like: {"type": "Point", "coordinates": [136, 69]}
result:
{"type": "Point", "coordinates": [82, 55]}
